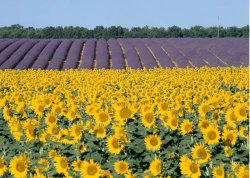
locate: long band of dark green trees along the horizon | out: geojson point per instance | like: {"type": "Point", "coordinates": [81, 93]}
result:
{"type": "Point", "coordinates": [18, 31]}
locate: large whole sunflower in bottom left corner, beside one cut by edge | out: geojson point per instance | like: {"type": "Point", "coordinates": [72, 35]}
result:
{"type": "Point", "coordinates": [19, 166]}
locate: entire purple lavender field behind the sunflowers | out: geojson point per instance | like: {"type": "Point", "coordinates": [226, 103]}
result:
{"type": "Point", "coordinates": [65, 54]}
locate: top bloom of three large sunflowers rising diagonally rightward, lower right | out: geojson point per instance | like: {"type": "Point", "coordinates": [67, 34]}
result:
{"type": "Point", "coordinates": [211, 135]}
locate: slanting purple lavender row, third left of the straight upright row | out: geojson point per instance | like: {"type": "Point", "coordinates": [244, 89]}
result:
{"type": "Point", "coordinates": [60, 55]}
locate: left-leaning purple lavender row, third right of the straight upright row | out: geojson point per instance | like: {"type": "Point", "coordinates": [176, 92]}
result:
{"type": "Point", "coordinates": [145, 55]}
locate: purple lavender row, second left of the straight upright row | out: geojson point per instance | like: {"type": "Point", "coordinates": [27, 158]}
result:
{"type": "Point", "coordinates": [74, 55]}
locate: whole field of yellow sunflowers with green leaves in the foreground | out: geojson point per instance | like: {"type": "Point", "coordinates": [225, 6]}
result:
{"type": "Point", "coordinates": [189, 122]}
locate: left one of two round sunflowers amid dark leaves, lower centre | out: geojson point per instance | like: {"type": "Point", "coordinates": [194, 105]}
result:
{"type": "Point", "coordinates": [114, 144]}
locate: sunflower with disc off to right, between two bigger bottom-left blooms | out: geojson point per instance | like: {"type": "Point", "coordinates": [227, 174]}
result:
{"type": "Point", "coordinates": [61, 164]}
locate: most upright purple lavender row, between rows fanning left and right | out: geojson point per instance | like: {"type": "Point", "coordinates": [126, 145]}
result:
{"type": "Point", "coordinates": [102, 54]}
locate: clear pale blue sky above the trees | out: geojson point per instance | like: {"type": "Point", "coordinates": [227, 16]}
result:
{"type": "Point", "coordinates": [126, 13]}
